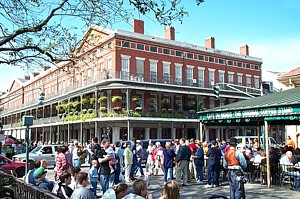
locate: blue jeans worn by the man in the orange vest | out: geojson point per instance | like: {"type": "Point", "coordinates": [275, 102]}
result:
{"type": "Point", "coordinates": [236, 189]}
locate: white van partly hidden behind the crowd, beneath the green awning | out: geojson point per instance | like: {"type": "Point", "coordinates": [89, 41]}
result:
{"type": "Point", "coordinates": [243, 142]}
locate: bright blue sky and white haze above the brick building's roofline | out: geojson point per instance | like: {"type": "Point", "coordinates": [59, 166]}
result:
{"type": "Point", "coordinates": [269, 27]}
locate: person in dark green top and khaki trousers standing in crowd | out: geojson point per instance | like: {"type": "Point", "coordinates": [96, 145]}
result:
{"type": "Point", "coordinates": [183, 156]}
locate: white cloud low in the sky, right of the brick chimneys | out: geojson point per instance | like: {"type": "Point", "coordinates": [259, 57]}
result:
{"type": "Point", "coordinates": [278, 54]}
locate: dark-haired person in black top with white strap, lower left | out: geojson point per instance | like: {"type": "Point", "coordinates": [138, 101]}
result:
{"type": "Point", "coordinates": [64, 191]}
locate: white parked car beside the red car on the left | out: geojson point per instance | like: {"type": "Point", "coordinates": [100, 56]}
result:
{"type": "Point", "coordinates": [41, 152]}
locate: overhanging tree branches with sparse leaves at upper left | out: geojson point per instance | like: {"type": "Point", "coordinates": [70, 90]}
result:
{"type": "Point", "coordinates": [33, 32]}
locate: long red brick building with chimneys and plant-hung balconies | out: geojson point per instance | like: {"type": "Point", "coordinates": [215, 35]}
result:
{"type": "Point", "coordinates": [127, 84]}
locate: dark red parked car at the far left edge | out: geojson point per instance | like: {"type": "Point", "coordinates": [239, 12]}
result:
{"type": "Point", "coordinates": [7, 165]}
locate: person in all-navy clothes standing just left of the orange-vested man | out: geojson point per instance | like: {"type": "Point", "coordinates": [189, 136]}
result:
{"type": "Point", "coordinates": [213, 164]}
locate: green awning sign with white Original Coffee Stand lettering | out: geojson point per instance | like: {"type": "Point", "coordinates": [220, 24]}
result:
{"type": "Point", "coordinates": [251, 113]}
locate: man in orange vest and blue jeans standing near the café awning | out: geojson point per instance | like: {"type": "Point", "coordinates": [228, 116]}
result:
{"type": "Point", "coordinates": [235, 163]}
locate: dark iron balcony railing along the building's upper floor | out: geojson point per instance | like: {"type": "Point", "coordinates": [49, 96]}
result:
{"type": "Point", "coordinates": [151, 78]}
